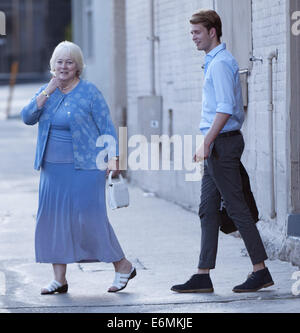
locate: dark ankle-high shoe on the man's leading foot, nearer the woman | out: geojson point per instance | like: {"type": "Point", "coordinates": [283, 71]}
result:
{"type": "Point", "coordinates": [198, 283]}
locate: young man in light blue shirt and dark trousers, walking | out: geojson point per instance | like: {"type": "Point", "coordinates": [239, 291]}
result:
{"type": "Point", "coordinates": [222, 119]}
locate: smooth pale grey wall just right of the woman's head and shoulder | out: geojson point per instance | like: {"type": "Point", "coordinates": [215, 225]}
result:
{"type": "Point", "coordinates": [99, 28]}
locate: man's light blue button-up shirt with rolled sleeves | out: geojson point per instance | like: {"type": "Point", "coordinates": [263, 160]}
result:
{"type": "Point", "coordinates": [222, 92]}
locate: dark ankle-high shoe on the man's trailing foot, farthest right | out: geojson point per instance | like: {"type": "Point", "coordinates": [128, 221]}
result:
{"type": "Point", "coordinates": [256, 281]}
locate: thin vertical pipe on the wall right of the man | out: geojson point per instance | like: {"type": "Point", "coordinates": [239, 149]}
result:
{"type": "Point", "coordinates": [272, 55]}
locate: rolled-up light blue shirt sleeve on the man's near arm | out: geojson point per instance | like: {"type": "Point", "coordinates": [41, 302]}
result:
{"type": "Point", "coordinates": [224, 85]}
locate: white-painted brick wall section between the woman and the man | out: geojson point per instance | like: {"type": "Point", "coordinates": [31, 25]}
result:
{"type": "Point", "coordinates": [178, 80]}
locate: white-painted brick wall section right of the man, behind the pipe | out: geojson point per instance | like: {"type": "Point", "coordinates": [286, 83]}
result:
{"type": "Point", "coordinates": [269, 33]}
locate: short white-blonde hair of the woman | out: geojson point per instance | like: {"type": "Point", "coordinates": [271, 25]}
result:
{"type": "Point", "coordinates": [70, 49]}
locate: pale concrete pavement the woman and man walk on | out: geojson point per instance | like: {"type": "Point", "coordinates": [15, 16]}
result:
{"type": "Point", "coordinates": [160, 238]}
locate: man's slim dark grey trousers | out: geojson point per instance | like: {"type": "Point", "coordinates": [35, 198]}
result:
{"type": "Point", "coordinates": [222, 178]}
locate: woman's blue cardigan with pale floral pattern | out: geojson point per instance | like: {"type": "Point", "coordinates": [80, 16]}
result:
{"type": "Point", "coordinates": [93, 133]}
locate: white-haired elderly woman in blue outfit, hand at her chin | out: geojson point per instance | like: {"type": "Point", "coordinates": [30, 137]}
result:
{"type": "Point", "coordinates": [72, 224]}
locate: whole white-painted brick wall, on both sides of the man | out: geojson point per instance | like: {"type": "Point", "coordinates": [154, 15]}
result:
{"type": "Point", "coordinates": [179, 80]}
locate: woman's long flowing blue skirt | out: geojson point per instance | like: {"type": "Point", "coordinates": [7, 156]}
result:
{"type": "Point", "coordinates": [72, 224]}
